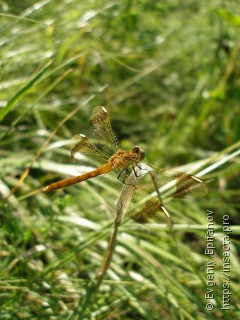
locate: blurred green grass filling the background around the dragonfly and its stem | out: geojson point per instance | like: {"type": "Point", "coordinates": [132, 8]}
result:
{"type": "Point", "coordinates": [168, 72]}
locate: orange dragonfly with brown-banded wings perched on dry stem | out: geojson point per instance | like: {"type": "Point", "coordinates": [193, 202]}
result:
{"type": "Point", "coordinates": [102, 147]}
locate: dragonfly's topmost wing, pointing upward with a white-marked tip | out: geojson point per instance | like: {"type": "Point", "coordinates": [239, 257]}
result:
{"type": "Point", "coordinates": [101, 132]}
